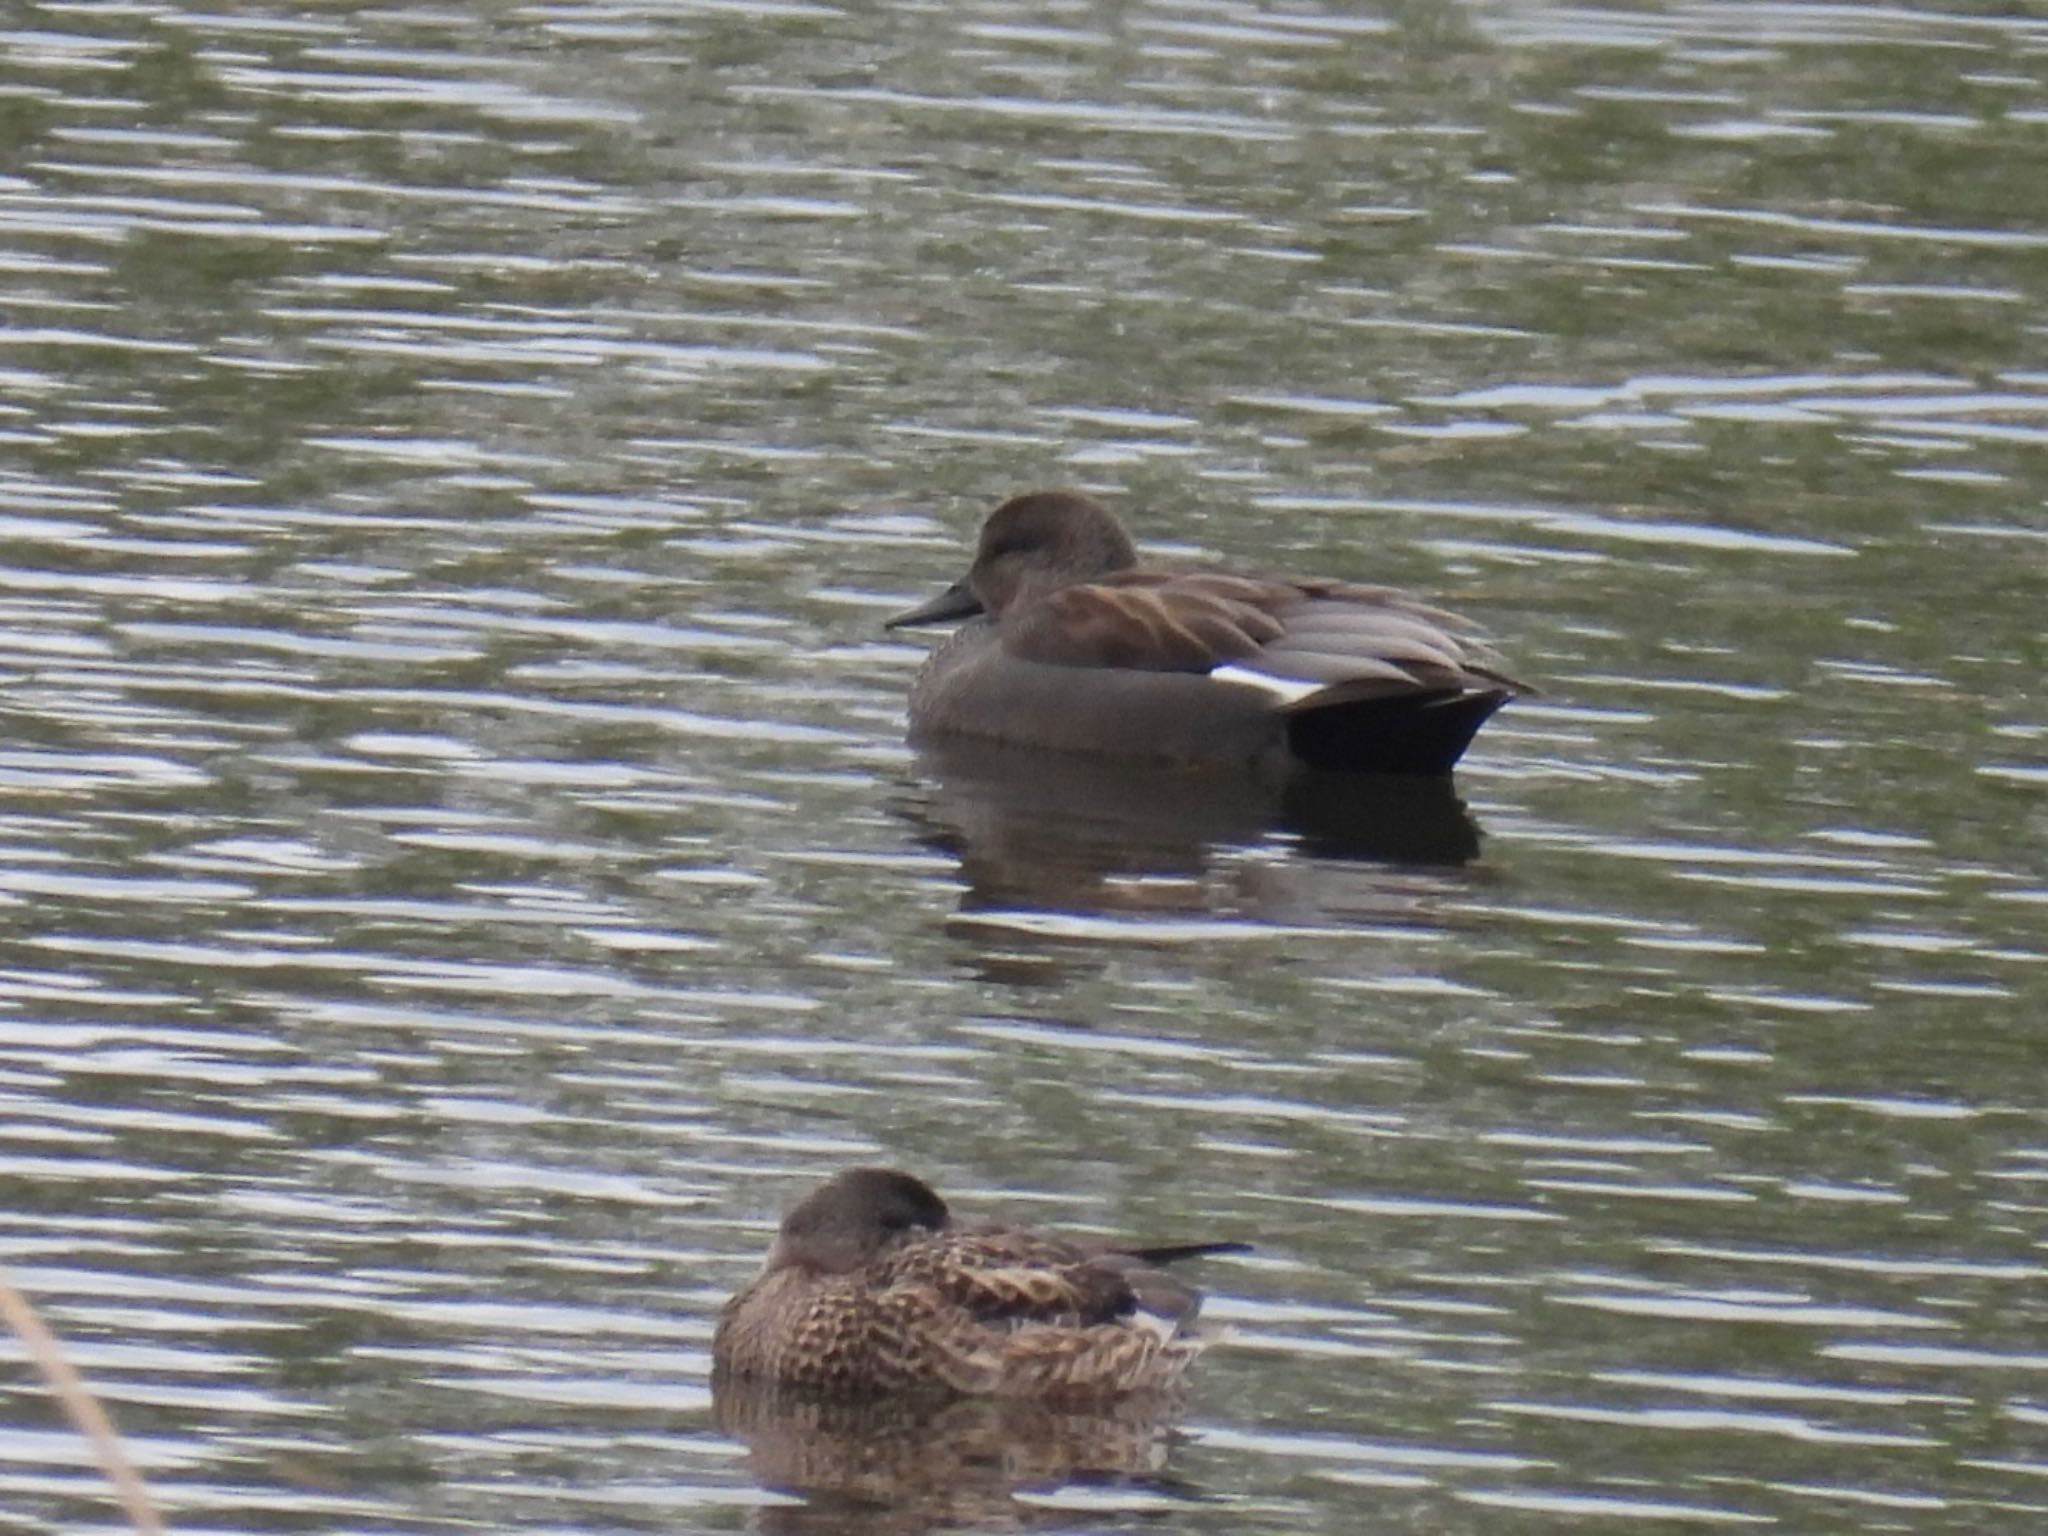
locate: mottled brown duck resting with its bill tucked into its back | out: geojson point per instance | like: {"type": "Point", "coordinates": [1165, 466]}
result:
{"type": "Point", "coordinates": [873, 1289]}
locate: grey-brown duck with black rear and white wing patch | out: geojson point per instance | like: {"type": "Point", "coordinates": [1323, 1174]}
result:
{"type": "Point", "coordinates": [1076, 646]}
